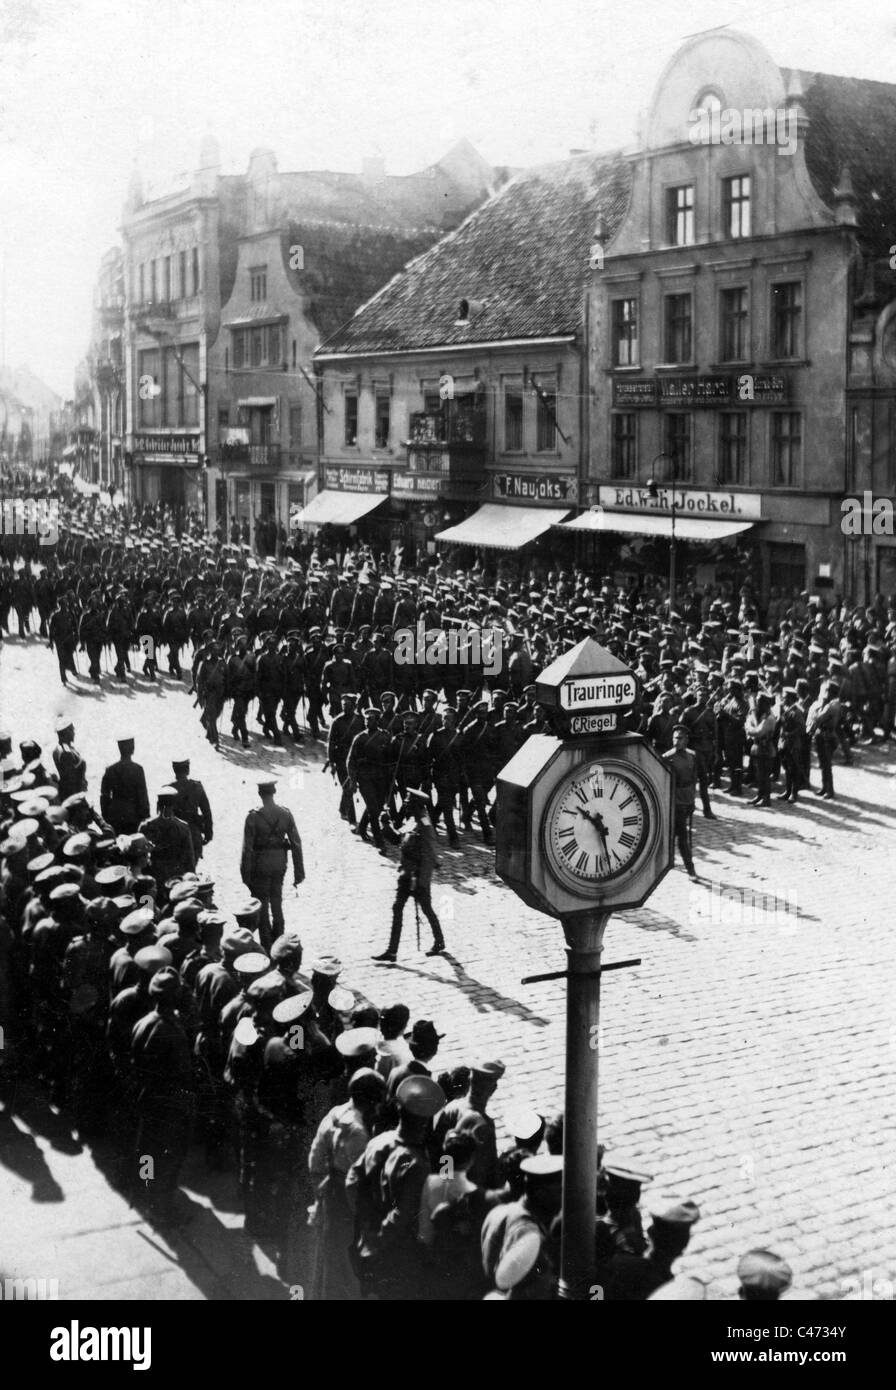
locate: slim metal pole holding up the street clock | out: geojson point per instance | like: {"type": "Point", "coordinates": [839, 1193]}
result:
{"type": "Point", "coordinates": [584, 933]}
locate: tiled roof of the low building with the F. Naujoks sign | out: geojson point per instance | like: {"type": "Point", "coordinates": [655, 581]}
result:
{"type": "Point", "coordinates": [522, 261]}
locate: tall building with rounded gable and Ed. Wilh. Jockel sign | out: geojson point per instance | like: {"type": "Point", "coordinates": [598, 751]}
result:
{"type": "Point", "coordinates": [742, 326]}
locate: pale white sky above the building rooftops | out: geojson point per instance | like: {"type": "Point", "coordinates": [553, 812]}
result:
{"type": "Point", "coordinates": [87, 85]}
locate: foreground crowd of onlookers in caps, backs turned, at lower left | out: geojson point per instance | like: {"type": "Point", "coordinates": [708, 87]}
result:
{"type": "Point", "coordinates": [151, 1017]}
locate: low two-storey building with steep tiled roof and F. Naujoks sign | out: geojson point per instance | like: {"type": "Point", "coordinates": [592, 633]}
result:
{"type": "Point", "coordinates": [456, 400]}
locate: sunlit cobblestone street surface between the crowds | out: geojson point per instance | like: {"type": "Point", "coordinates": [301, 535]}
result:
{"type": "Point", "coordinates": [748, 1063]}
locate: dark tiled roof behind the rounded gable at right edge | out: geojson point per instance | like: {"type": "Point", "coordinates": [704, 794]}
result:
{"type": "Point", "coordinates": [854, 123]}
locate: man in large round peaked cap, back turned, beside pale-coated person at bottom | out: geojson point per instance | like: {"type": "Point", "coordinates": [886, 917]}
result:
{"type": "Point", "coordinates": [384, 1189]}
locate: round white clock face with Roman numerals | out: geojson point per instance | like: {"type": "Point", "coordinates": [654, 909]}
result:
{"type": "Point", "coordinates": [598, 825]}
